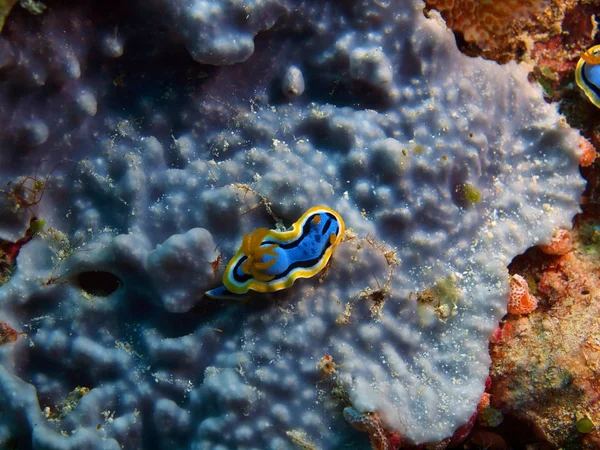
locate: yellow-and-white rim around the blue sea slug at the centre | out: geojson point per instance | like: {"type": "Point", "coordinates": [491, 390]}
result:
{"type": "Point", "coordinates": [283, 237]}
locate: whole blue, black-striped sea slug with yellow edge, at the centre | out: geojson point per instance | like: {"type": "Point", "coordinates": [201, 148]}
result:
{"type": "Point", "coordinates": [270, 260]}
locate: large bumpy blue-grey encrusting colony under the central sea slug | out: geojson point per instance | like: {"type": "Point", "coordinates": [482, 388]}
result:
{"type": "Point", "coordinates": [138, 161]}
